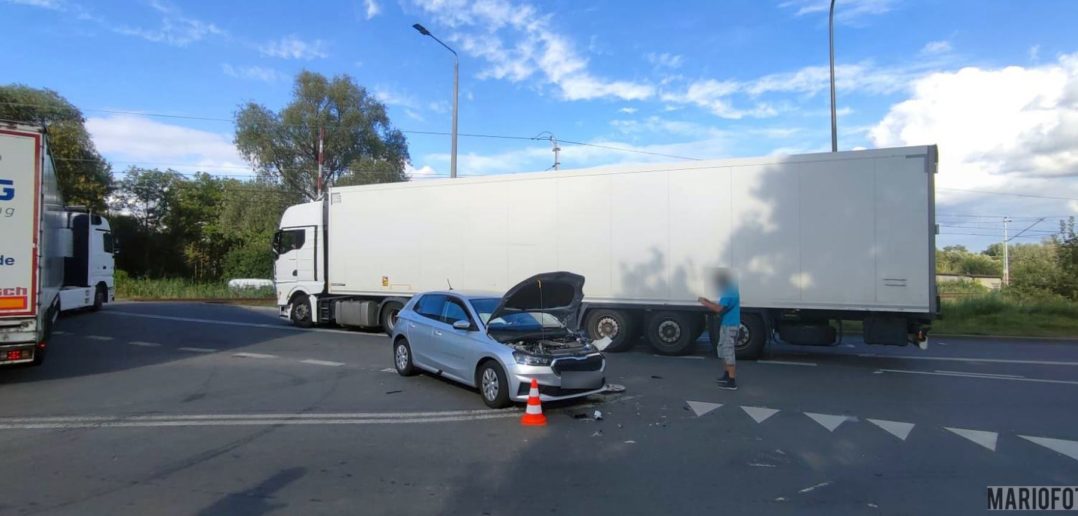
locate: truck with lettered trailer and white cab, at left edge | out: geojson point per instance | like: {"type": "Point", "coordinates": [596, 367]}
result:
{"type": "Point", "coordinates": [52, 258]}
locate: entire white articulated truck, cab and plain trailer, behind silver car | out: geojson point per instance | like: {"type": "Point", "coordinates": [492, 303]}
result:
{"type": "Point", "coordinates": [813, 240]}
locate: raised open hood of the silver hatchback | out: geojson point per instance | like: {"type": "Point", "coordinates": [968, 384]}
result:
{"type": "Point", "coordinates": [559, 295]}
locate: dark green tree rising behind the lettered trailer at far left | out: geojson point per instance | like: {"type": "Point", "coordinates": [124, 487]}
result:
{"type": "Point", "coordinates": [85, 177]}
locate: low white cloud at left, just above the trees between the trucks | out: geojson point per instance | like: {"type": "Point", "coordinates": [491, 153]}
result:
{"type": "Point", "coordinates": [130, 141]}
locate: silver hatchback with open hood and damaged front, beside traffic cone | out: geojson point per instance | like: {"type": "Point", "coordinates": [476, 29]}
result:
{"type": "Point", "coordinates": [499, 345]}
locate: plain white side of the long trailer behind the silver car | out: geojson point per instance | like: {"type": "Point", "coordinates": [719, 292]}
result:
{"type": "Point", "coordinates": [849, 231]}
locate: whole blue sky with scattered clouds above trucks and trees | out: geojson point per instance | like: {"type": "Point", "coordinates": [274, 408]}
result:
{"type": "Point", "coordinates": [996, 83]}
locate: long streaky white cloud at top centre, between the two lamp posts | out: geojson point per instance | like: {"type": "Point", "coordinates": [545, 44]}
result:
{"type": "Point", "coordinates": [519, 44]}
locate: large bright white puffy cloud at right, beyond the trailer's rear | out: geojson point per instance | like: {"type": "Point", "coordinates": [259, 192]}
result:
{"type": "Point", "coordinates": [1008, 130]}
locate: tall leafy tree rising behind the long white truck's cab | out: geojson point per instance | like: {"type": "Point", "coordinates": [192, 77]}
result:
{"type": "Point", "coordinates": [361, 144]}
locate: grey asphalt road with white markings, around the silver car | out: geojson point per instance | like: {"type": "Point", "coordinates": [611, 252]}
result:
{"type": "Point", "coordinates": [198, 409]}
